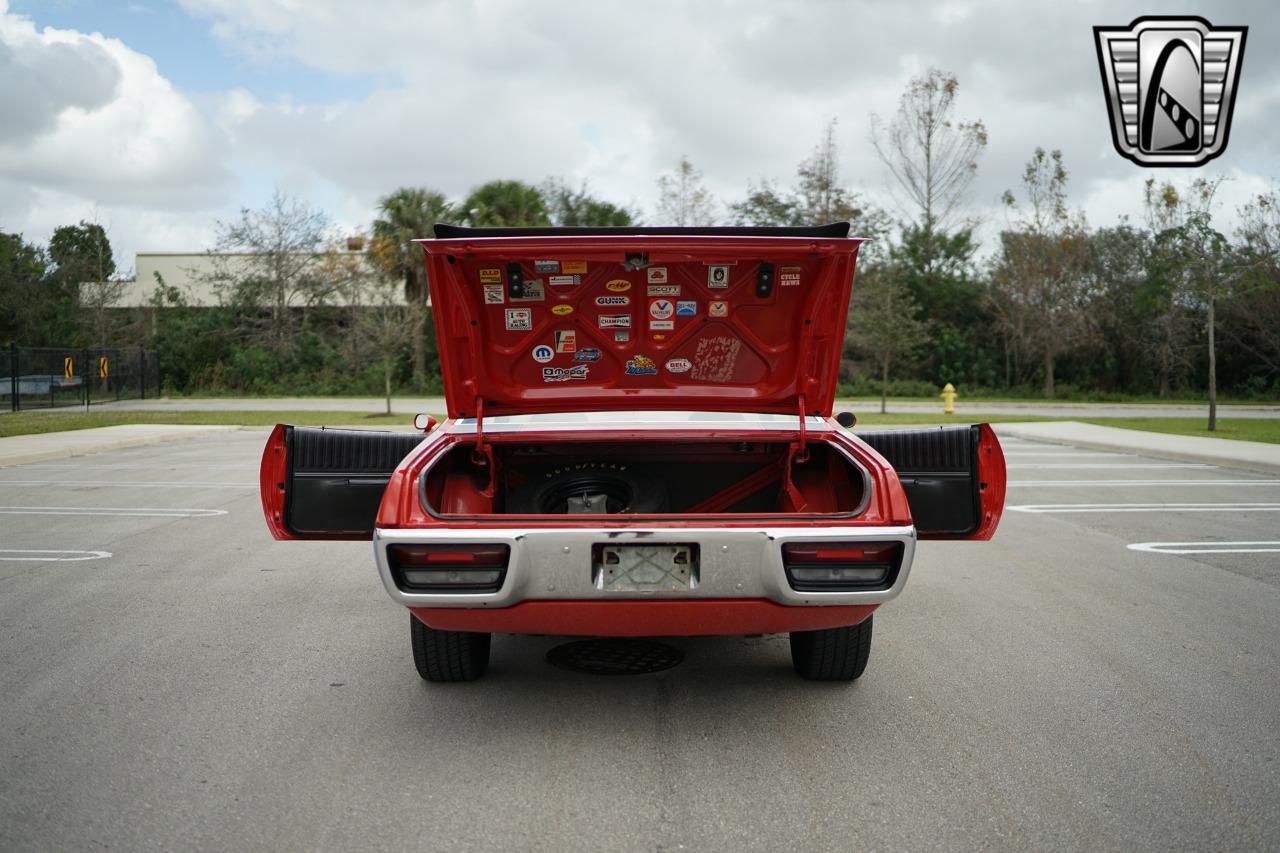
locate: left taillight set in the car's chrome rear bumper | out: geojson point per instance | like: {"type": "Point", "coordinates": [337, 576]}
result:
{"type": "Point", "coordinates": [449, 568]}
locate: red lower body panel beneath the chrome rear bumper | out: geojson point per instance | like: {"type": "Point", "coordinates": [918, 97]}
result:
{"type": "Point", "coordinates": [662, 618]}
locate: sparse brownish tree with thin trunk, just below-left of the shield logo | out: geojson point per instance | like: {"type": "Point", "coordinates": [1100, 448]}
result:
{"type": "Point", "coordinates": [1037, 284]}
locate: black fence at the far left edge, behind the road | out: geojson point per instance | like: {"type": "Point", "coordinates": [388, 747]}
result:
{"type": "Point", "coordinates": [49, 377]}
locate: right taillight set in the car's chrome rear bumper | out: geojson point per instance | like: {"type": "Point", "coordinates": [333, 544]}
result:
{"type": "Point", "coordinates": [842, 567]}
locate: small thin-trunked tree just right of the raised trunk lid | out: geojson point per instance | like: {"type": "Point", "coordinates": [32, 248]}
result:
{"type": "Point", "coordinates": [885, 322]}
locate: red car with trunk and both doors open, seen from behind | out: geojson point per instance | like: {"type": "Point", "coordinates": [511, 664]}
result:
{"type": "Point", "coordinates": [639, 444]}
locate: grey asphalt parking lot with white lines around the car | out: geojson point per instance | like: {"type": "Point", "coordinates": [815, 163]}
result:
{"type": "Point", "coordinates": [1103, 676]}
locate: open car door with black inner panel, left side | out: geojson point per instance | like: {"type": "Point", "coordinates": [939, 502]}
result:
{"type": "Point", "coordinates": [322, 483]}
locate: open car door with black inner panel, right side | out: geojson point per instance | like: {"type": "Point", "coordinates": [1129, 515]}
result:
{"type": "Point", "coordinates": [954, 478]}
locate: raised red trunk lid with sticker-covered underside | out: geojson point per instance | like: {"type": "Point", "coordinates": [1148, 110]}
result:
{"type": "Point", "coordinates": [710, 320]}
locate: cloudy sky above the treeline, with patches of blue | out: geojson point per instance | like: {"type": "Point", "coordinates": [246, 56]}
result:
{"type": "Point", "coordinates": [161, 118]}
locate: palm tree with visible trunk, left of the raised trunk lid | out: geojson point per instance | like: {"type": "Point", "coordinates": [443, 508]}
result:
{"type": "Point", "coordinates": [406, 216]}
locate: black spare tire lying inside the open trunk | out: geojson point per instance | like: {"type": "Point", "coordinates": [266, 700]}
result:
{"type": "Point", "coordinates": [604, 489]}
